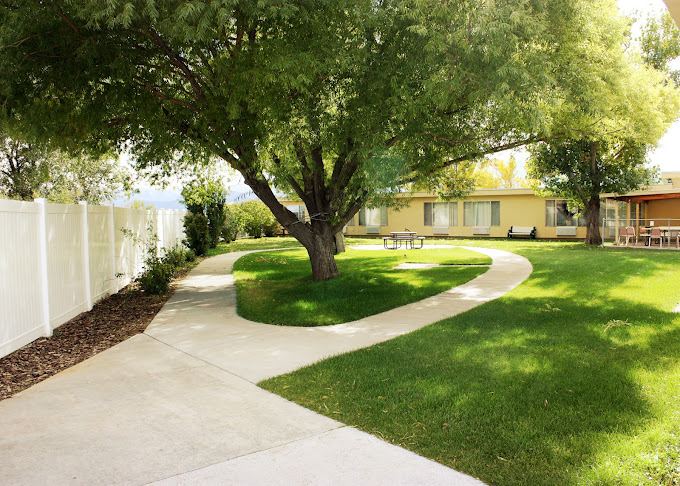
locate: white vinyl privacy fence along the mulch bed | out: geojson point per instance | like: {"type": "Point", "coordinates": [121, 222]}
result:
{"type": "Point", "coordinates": [56, 260]}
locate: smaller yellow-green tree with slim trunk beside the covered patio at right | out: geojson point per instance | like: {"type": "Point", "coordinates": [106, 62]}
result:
{"type": "Point", "coordinates": [609, 118]}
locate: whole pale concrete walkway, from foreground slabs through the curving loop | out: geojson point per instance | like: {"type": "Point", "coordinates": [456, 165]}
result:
{"type": "Point", "coordinates": [178, 404]}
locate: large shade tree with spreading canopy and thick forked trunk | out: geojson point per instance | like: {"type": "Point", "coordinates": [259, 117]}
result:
{"type": "Point", "coordinates": [337, 102]}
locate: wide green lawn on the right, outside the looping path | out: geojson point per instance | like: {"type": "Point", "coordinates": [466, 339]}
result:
{"type": "Point", "coordinates": [572, 378]}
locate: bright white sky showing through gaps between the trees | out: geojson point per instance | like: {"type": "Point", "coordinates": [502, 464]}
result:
{"type": "Point", "coordinates": [666, 156]}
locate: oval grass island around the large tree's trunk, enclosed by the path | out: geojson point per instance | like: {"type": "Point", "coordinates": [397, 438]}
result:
{"type": "Point", "coordinates": [276, 287]}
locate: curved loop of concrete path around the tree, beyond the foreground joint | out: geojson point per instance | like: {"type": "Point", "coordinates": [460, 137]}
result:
{"type": "Point", "coordinates": [256, 351]}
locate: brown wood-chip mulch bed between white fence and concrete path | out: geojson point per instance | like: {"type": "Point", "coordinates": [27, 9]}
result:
{"type": "Point", "coordinates": [111, 321]}
